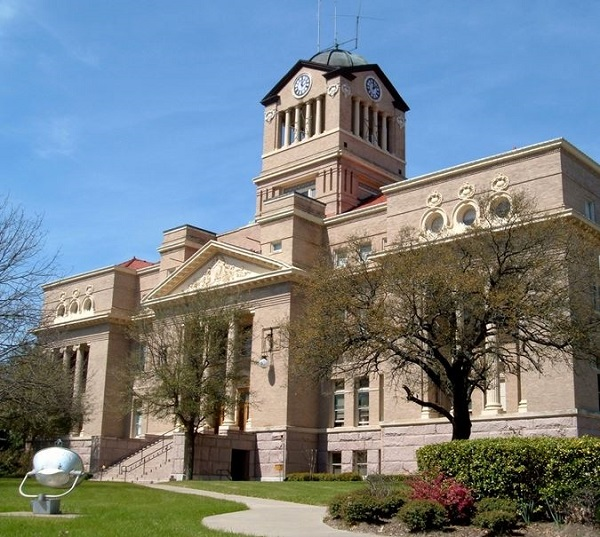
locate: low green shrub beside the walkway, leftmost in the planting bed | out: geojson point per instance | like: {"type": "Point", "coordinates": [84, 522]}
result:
{"type": "Point", "coordinates": [363, 506]}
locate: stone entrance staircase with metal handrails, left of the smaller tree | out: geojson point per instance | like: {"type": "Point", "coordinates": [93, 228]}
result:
{"type": "Point", "coordinates": [148, 465]}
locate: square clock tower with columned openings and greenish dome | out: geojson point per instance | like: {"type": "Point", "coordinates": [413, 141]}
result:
{"type": "Point", "coordinates": [334, 131]}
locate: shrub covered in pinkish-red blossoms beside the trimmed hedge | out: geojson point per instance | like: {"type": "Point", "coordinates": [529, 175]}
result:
{"type": "Point", "coordinates": [448, 492]}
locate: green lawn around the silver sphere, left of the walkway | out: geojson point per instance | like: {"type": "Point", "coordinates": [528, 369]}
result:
{"type": "Point", "coordinates": [113, 510]}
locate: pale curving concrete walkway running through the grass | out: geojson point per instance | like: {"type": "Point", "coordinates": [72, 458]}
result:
{"type": "Point", "coordinates": [267, 518]}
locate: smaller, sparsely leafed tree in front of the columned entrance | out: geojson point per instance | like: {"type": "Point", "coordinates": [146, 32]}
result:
{"type": "Point", "coordinates": [188, 362]}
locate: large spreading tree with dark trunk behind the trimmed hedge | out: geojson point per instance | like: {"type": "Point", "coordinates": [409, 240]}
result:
{"type": "Point", "coordinates": [511, 291]}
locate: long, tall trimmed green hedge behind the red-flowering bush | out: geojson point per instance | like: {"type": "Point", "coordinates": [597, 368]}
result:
{"type": "Point", "coordinates": [536, 471]}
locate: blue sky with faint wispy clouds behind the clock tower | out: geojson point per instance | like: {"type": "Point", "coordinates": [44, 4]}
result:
{"type": "Point", "coordinates": [122, 118]}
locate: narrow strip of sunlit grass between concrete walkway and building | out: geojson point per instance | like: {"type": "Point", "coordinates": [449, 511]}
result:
{"type": "Point", "coordinates": [307, 492]}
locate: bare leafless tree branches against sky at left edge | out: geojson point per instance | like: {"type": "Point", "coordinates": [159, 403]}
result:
{"type": "Point", "coordinates": [23, 269]}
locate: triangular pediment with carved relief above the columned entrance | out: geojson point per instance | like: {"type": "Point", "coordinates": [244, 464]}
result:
{"type": "Point", "coordinates": [217, 265]}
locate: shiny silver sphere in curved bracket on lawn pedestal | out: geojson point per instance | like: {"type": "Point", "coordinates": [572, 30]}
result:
{"type": "Point", "coordinates": [54, 467]}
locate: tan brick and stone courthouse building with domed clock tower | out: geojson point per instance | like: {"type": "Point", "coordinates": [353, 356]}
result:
{"type": "Point", "coordinates": [333, 166]}
